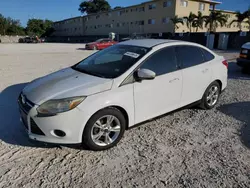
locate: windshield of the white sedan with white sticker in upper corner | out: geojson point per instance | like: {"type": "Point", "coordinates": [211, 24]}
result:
{"type": "Point", "coordinates": [111, 62]}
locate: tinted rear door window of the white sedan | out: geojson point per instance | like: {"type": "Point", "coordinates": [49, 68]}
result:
{"type": "Point", "coordinates": [189, 56]}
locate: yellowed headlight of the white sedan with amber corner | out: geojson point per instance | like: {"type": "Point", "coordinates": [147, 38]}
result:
{"type": "Point", "coordinates": [56, 106]}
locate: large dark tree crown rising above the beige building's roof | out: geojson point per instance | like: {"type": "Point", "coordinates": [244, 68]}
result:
{"type": "Point", "coordinates": [94, 6]}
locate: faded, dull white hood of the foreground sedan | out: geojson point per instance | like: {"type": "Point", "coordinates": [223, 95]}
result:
{"type": "Point", "coordinates": [65, 83]}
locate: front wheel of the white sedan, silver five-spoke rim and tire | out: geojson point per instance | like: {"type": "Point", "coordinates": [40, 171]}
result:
{"type": "Point", "coordinates": [91, 130]}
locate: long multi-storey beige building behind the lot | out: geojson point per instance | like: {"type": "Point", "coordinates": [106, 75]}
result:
{"type": "Point", "coordinates": [145, 18]}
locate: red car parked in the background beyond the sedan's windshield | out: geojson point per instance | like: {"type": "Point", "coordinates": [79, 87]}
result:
{"type": "Point", "coordinates": [100, 44]}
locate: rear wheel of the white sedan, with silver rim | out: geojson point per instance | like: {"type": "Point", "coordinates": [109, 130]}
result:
{"type": "Point", "coordinates": [206, 103]}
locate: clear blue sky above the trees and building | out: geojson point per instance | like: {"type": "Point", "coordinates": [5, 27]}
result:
{"type": "Point", "coordinates": [61, 9]}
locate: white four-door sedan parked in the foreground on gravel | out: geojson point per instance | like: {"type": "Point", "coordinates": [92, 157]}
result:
{"type": "Point", "coordinates": [96, 100]}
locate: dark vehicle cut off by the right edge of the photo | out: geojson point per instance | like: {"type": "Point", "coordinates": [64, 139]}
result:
{"type": "Point", "coordinates": [244, 59]}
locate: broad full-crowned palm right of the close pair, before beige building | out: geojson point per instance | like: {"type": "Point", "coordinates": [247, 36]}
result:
{"type": "Point", "coordinates": [215, 19]}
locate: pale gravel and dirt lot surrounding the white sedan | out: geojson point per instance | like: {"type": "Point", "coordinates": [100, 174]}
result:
{"type": "Point", "coordinates": [188, 148]}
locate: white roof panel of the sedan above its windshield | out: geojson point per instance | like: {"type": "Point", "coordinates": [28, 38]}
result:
{"type": "Point", "coordinates": [149, 43]}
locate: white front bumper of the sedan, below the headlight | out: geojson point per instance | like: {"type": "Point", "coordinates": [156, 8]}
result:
{"type": "Point", "coordinates": [42, 128]}
